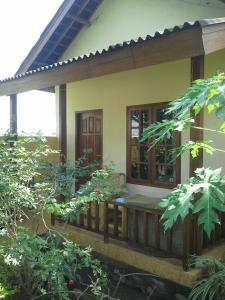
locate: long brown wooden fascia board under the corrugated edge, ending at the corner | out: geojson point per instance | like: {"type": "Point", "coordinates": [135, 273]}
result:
{"type": "Point", "coordinates": [168, 47]}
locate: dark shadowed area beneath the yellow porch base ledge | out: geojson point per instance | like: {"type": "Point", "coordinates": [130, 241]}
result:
{"type": "Point", "coordinates": [128, 283]}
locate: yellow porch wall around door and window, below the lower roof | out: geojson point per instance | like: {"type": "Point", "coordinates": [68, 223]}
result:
{"type": "Point", "coordinates": [113, 93]}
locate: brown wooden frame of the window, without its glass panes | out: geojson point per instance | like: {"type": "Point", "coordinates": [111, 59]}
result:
{"type": "Point", "coordinates": [152, 108]}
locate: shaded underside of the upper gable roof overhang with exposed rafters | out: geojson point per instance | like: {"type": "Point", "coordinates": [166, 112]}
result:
{"type": "Point", "coordinates": [68, 21]}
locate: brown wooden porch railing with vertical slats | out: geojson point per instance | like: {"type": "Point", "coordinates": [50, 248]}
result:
{"type": "Point", "coordinates": [141, 228]}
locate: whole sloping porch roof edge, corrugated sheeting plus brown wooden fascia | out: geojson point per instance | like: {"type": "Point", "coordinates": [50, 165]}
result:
{"type": "Point", "coordinates": [188, 40]}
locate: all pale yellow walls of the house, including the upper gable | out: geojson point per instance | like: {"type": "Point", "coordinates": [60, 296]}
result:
{"type": "Point", "coordinates": [115, 22]}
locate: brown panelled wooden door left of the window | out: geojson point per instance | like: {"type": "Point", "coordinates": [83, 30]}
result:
{"type": "Point", "coordinates": [89, 134]}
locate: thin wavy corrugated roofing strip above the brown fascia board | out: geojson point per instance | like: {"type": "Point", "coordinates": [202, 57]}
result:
{"type": "Point", "coordinates": [158, 34]}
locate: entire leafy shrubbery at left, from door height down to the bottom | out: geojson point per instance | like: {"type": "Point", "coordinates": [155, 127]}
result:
{"type": "Point", "coordinates": [46, 267]}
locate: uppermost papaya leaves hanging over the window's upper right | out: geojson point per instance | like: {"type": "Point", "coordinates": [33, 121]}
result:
{"type": "Point", "coordinates": [207, 93]}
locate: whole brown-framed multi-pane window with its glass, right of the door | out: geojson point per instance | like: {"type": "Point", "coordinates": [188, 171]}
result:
{"type": "Point", "coordinates": [152, 167]}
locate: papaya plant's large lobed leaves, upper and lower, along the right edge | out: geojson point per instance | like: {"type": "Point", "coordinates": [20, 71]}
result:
{"type": "Point", "coordinates": [203, 194]}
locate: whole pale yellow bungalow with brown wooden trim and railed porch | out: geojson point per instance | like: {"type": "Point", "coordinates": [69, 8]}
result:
{"type": "Point", "coordinates": [113, 66]}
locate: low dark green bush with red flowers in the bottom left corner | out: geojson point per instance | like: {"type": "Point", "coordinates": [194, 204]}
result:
{"type": "Point", "coordinates": [46, 268]}
